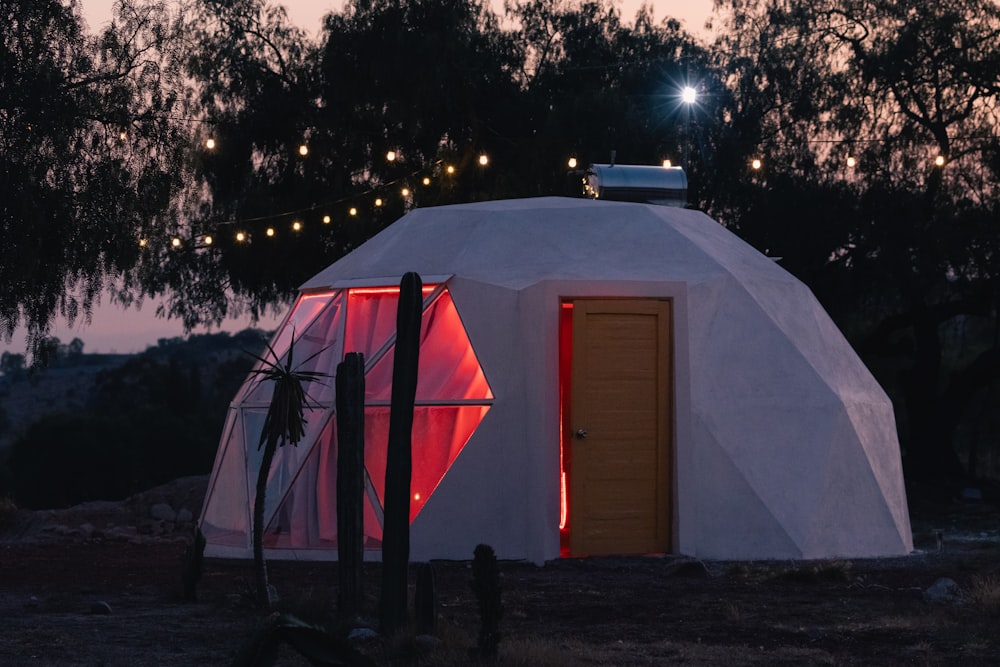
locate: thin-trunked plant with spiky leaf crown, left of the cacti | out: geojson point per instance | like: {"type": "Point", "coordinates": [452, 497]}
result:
{"type": "Point", "coordinates": [284, 423]}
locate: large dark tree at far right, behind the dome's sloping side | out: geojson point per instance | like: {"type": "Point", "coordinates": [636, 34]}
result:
{"type": "Point", "coordinates": [907, 242]}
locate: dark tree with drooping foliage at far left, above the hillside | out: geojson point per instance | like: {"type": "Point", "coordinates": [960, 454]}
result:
{"type": "Point", "coordinates": [89, 156]}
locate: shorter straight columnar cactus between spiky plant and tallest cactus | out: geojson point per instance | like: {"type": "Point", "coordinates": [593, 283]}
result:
{"type": "Point", "coordinates": [350, 482]}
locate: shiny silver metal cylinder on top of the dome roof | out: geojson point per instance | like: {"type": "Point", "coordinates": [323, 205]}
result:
{"type": "Point", "coordinates": [665, 186]}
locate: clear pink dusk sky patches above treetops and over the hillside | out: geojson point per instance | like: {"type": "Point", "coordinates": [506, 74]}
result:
{"type": "Point", "coordinates": [127, 331]}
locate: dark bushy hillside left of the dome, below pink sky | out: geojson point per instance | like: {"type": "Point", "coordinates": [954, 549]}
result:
{"type": "Point", "coordinates": [103, 427]}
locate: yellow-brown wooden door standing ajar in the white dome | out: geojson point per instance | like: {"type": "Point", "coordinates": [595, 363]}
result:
{"type": "Point", "coordinates": [620, 491]}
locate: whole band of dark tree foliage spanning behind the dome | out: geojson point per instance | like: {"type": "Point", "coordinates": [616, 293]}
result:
{"type": "Point", "coordinates": [900, 250]}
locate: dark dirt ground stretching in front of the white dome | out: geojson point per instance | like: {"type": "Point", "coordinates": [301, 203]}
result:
{"type": "Point", "coordinates": [89, 602]}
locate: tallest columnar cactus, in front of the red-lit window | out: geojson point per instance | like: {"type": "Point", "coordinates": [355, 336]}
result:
{"type": "Point", "coordinates": [398, 468]}
